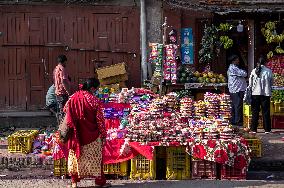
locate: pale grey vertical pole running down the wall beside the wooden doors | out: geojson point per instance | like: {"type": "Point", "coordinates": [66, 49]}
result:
{"type": "Point", "coordinates": [143, 40]}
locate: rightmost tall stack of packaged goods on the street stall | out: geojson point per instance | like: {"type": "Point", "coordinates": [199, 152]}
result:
{"type": "Point", "coordinates": [225, 107]}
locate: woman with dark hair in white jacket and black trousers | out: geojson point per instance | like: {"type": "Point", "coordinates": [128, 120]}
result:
{"type": "Point", "coordinates": [261, 81]}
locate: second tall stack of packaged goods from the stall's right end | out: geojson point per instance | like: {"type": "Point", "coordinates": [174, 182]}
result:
{"type": "Point", "coordinates": [212, 104]}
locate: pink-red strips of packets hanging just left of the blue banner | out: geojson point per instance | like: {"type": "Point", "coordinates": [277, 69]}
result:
{"type": "Point", "coordinates": [170, 64]}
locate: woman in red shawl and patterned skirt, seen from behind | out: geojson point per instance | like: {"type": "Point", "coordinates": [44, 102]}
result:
{"type": "Point", "coordinates": [86, 135]}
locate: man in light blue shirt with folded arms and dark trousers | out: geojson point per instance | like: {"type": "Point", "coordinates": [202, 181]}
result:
{"type": "Point", "coordinates": [237, 86]}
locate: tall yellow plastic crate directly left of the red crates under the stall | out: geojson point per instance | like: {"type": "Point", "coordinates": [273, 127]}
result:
{"type": "Point", "coordinates": [178, 164]}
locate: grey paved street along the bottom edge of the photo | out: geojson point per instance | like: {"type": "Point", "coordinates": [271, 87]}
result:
{"type": "Point", "coordinates": [58, 183]}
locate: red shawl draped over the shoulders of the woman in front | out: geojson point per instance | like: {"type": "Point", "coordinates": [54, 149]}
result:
{"type": "Point", "coordinates": [85, 119]}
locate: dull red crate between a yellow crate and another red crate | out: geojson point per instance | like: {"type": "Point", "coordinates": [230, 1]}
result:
{"type": "Point", "coordinates": [202, 169]}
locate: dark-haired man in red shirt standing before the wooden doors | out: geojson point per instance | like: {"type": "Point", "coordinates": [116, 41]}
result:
{"type": "Point", "coordinates": [62, 85]}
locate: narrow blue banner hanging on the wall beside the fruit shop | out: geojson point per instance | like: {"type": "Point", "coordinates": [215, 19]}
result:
{"type": "Point", "coordinates": [187, 46]}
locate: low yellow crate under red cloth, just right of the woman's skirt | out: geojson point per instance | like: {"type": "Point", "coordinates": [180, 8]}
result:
{"type": "Point", "coordinates": [116, 168]}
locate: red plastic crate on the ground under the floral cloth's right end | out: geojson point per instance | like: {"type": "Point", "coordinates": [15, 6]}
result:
{"type": "Point", "coordinates": [228, 172]}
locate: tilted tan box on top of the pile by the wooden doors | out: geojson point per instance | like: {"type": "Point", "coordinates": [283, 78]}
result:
{"type": "Point", "coordinates": [110, 71]}
